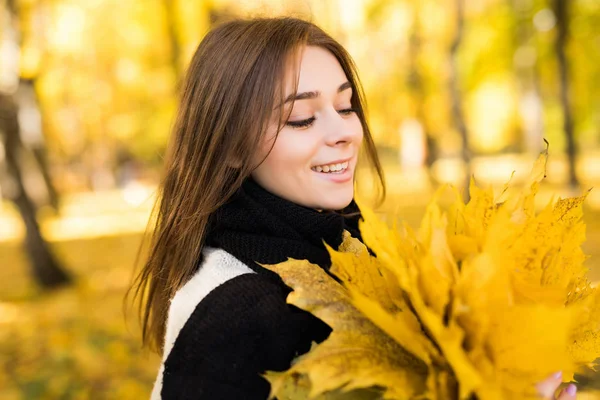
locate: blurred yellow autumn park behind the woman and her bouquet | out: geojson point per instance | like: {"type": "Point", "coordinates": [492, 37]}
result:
{"type": "Point", "coordinates": [88, 89]}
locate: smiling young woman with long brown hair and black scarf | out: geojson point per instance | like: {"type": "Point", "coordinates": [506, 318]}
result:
{"type": "Point", "coordinates": [260, 168]}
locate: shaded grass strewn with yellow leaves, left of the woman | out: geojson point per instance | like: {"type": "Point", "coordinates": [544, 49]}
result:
{"type": "Point", "coordinates": [72, 343]}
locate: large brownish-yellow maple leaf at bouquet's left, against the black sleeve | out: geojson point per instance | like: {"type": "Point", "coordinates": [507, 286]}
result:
{"type": "Point", "coordinates": [357, 354]}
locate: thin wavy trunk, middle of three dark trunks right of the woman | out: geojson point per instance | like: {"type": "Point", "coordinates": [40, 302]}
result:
{"type": "Point", "coordinates": [456, 96]}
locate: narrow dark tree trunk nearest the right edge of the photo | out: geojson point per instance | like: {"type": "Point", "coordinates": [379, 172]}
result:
{"type": "Point", "coordinates": [561, 9]}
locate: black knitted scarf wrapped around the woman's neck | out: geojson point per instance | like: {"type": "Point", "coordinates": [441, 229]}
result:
{"type": "Point", "coordinates": [256, 226]}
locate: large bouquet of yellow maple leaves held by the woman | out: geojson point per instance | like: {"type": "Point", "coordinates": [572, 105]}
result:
{"type": "Point", "coordinates": [484, 301]}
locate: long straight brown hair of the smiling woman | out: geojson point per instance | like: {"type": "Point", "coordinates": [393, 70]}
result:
{"type": "Point", "coordinates": [228, 96]}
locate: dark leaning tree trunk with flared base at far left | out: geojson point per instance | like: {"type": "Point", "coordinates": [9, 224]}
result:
{"type": "Point", "coordinates": [45, 269]}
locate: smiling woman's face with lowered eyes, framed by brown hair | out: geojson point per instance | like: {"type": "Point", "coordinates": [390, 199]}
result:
{"type": "Point", "coordinates": [314, 157]}
